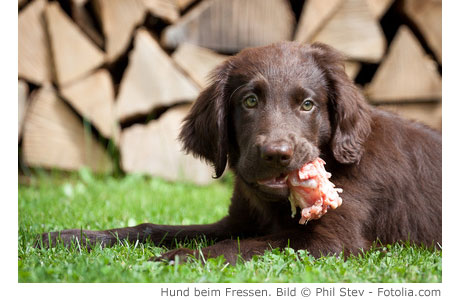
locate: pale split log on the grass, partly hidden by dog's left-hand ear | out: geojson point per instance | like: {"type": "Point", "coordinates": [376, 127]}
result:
{"type": "Point", "coordinates": [154, 149]}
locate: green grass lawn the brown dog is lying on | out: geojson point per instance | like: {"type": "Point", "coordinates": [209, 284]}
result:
{"type": "Point", "coordinates": [82, 200]}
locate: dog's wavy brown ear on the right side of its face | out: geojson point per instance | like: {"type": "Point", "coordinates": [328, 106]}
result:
{"type": "Point", "coordinates": [351, 121]}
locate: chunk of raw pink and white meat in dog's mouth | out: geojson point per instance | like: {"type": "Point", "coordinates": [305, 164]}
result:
{"type": "Point", "coordinates": [311, 190]}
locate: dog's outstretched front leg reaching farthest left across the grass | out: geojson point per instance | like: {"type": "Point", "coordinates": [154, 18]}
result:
{"type": "Point", "coordinates": [158, 234]}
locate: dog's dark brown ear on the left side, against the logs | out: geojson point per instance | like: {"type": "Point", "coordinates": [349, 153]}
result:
{"type": "Point", "coordinates": [204, 130]}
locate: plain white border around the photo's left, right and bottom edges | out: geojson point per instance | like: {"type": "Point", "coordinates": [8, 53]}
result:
{"type": "Point", "coordinates": [8, 235]}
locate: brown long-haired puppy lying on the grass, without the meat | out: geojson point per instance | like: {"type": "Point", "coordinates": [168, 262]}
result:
{"type": "Point", "coordinates": [270, 110]}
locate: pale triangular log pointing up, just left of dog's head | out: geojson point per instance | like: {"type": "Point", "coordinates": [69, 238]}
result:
{"type": "Point", "coordinates": [151, 80]}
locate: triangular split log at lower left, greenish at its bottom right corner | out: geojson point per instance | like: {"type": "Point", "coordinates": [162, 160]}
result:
{"type": "Point", "coordinates": [54, 137]}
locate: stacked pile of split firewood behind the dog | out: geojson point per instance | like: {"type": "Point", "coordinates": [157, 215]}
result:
{"type": "Point", "coordinates": [100, 74]}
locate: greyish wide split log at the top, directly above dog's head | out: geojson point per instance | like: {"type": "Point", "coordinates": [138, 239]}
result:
{"type": "Point", "coordinates": [231, 25]}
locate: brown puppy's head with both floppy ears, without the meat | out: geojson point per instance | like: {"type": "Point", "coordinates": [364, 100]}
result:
{"type": "Point", "coordinates": [270, 110]}
